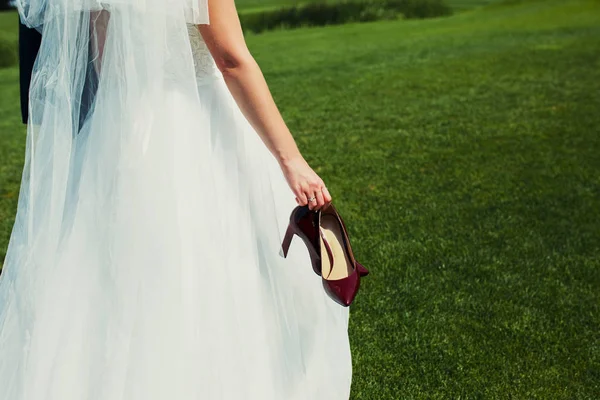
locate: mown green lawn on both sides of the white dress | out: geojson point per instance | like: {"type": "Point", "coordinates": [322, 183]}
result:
{"type": "Point", "coordinates": [463, 153]}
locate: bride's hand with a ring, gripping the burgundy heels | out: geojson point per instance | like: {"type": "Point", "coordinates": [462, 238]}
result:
{"type": "Point", "coordinates": [305, 183]}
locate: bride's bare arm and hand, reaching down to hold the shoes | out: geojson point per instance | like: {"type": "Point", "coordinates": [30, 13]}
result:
{"type": "Point", "coordinates": [246, 83]}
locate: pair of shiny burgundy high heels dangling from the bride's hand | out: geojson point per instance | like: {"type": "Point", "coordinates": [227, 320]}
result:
{"type": "Point", "coordinates": [324, 233]}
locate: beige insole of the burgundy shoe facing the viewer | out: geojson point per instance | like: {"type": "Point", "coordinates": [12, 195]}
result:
{"type": "Point", "coordinates": [342, 266]}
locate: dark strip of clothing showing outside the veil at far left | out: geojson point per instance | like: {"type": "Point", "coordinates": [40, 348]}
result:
{"type": "Point", "coordinates": [29, 45]}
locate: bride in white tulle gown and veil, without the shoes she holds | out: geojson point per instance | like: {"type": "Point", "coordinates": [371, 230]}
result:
{"type": "Point", "coordinates": [159, 177]}
